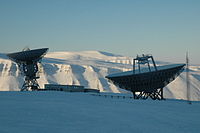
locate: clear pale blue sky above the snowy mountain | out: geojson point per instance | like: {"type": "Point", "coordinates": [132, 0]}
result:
{"type": "Point", "coordinates": [164, 28]}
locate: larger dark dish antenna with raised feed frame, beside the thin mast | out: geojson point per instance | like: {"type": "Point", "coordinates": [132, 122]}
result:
{"type": "Point", "coordinates": [148, 84]}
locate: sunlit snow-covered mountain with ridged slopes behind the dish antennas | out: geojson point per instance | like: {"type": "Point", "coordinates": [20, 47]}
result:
{"type": "Point", "coordinates": [89, 68]}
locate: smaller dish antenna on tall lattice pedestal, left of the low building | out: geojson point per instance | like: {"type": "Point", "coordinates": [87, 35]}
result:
{"type": "Point", "coordinates": [28, 61]}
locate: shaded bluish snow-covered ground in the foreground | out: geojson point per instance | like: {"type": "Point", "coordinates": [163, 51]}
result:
{"type": "Point", "coordinates": [62, 112]}
